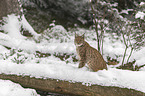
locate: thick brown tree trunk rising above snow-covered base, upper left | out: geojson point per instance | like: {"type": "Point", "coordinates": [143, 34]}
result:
{"type": "Point", "coordinates": [8, 7]}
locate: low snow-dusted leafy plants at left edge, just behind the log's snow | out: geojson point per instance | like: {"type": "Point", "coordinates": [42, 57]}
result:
{"type": "Point", "coordinates": [19, 56]}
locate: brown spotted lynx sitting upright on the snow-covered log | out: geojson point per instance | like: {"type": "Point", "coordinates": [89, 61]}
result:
{"type": "Point", "coordinates": [89, 55]}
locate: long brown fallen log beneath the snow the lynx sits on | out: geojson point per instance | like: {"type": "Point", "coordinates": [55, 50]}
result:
{"type": "Point", "coordinates": [65, 87]}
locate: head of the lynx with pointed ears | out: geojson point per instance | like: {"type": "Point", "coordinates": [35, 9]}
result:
{"type": "Point", "coordinates": [79, 40]}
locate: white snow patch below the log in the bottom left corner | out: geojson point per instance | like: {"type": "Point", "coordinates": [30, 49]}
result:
{"type": "Point", "coordinates": [8, 88]}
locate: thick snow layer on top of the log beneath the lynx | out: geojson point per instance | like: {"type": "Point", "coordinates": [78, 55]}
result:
{"type": "Point", "coordinates": [57, 69]}
